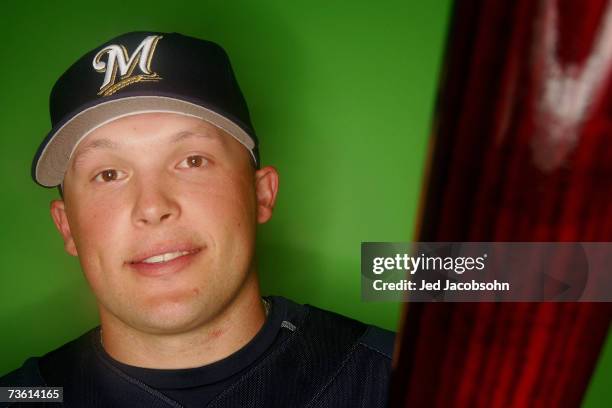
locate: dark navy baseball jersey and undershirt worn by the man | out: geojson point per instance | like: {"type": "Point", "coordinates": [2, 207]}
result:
{"type": "Point", "coordinates": [303, 356]}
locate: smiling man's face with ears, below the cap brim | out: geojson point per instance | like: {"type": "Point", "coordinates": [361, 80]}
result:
{"type": "Point", "coordinates": [161, 210]}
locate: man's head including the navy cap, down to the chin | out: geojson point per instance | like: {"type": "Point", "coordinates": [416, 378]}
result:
{"type": "Point", "coordinates": [162, 187]}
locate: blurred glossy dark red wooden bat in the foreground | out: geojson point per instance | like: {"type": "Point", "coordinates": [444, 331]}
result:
{"type": "Point", "coordinates": [521, 151]}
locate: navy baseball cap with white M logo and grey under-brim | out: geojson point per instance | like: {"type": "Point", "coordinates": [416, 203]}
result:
{"type": "Point", "coordinates": [141, 72]}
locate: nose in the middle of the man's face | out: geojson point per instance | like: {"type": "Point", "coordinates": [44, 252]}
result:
{"type": "Point", "coordinates": [154, 204]}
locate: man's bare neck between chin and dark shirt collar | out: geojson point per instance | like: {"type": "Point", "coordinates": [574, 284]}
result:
{"type": "Point", "coordinates": [226, 333]}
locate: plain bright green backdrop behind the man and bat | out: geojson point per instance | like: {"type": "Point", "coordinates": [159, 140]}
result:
{"type": "Point", "coordinates": [341, 95]}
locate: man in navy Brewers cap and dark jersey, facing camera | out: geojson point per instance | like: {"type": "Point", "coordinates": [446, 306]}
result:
{"type": "Point", "coordinates": [158, 166]}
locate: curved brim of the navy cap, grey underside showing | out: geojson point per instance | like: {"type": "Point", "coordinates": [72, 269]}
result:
{"type": "Point", "coordinates": [52, 161]}
